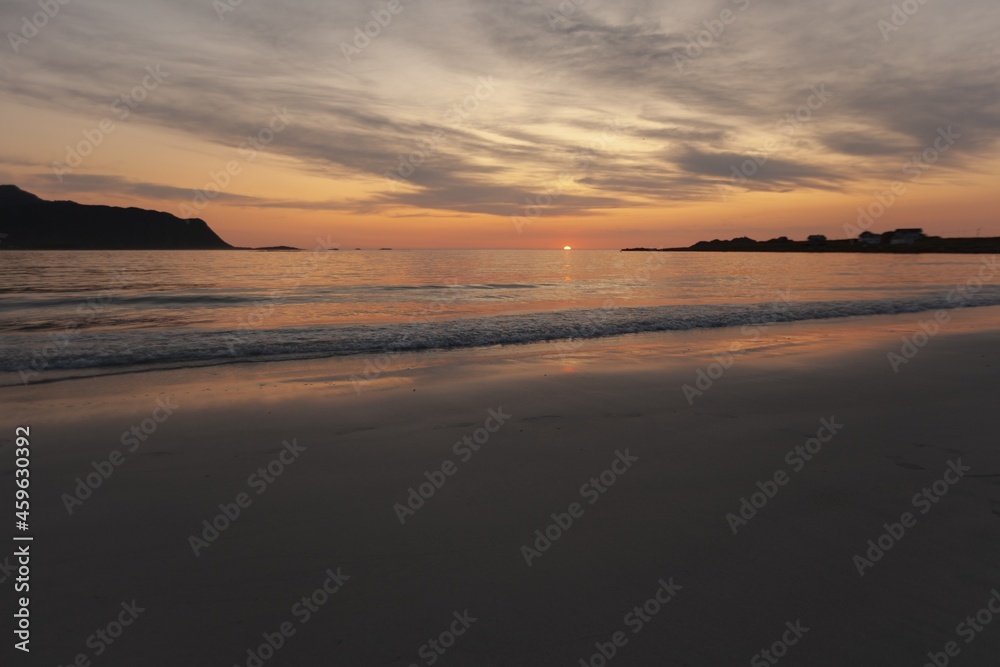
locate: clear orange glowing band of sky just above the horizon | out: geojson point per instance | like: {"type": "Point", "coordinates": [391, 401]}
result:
{"type": "Point", "coordinates": [277, 200]}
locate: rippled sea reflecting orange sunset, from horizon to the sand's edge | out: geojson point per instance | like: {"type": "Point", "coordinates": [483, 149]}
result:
{"type": "Point", "coordinates": [70, 310]}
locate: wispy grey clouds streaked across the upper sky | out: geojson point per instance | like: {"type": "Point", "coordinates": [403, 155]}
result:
{"type": "Point", "coordinates": [561, 76]}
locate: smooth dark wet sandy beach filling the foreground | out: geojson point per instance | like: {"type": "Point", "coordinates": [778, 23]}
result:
{"type": "Point", "coordinates": [664, 528]}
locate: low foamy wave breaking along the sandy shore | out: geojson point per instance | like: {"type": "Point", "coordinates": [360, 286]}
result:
{"type": "Point", "coordinates": [115, 349]}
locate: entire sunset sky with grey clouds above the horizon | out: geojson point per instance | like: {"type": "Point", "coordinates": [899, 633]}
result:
{"type": "Point", "coordinates": [510, 124]}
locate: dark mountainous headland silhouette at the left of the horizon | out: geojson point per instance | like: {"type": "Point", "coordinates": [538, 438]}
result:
{"type": "Point", "coordinates": [28, 222]}
